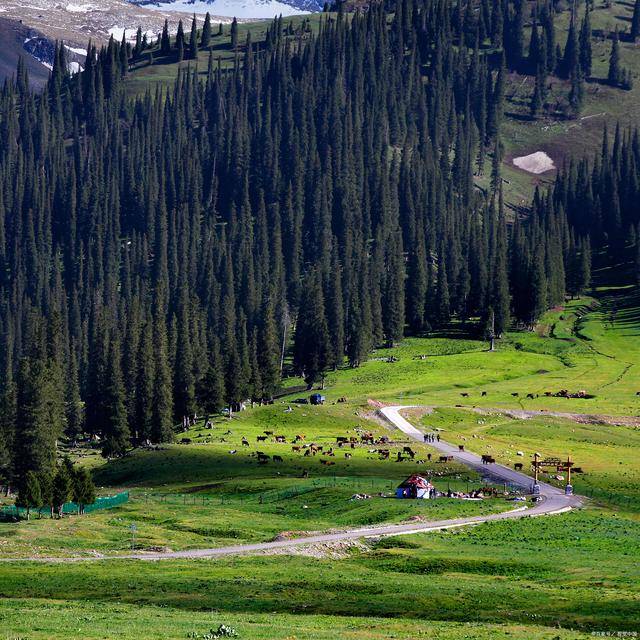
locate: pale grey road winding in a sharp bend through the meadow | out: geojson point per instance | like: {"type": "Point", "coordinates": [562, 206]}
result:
{"type": "Point", "coordinates": [554, 501]}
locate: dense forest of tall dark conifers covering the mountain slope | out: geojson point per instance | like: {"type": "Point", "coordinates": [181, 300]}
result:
{"type": "Point", "coordinates": [164, 256]}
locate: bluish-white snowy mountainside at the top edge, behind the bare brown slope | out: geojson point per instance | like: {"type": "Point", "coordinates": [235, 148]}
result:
{"type": "Point", "coordinates": [246, 9]}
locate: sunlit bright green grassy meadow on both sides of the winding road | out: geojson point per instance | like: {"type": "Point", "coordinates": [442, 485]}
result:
{"type": "Point", "coordinates": [566, 576]}
